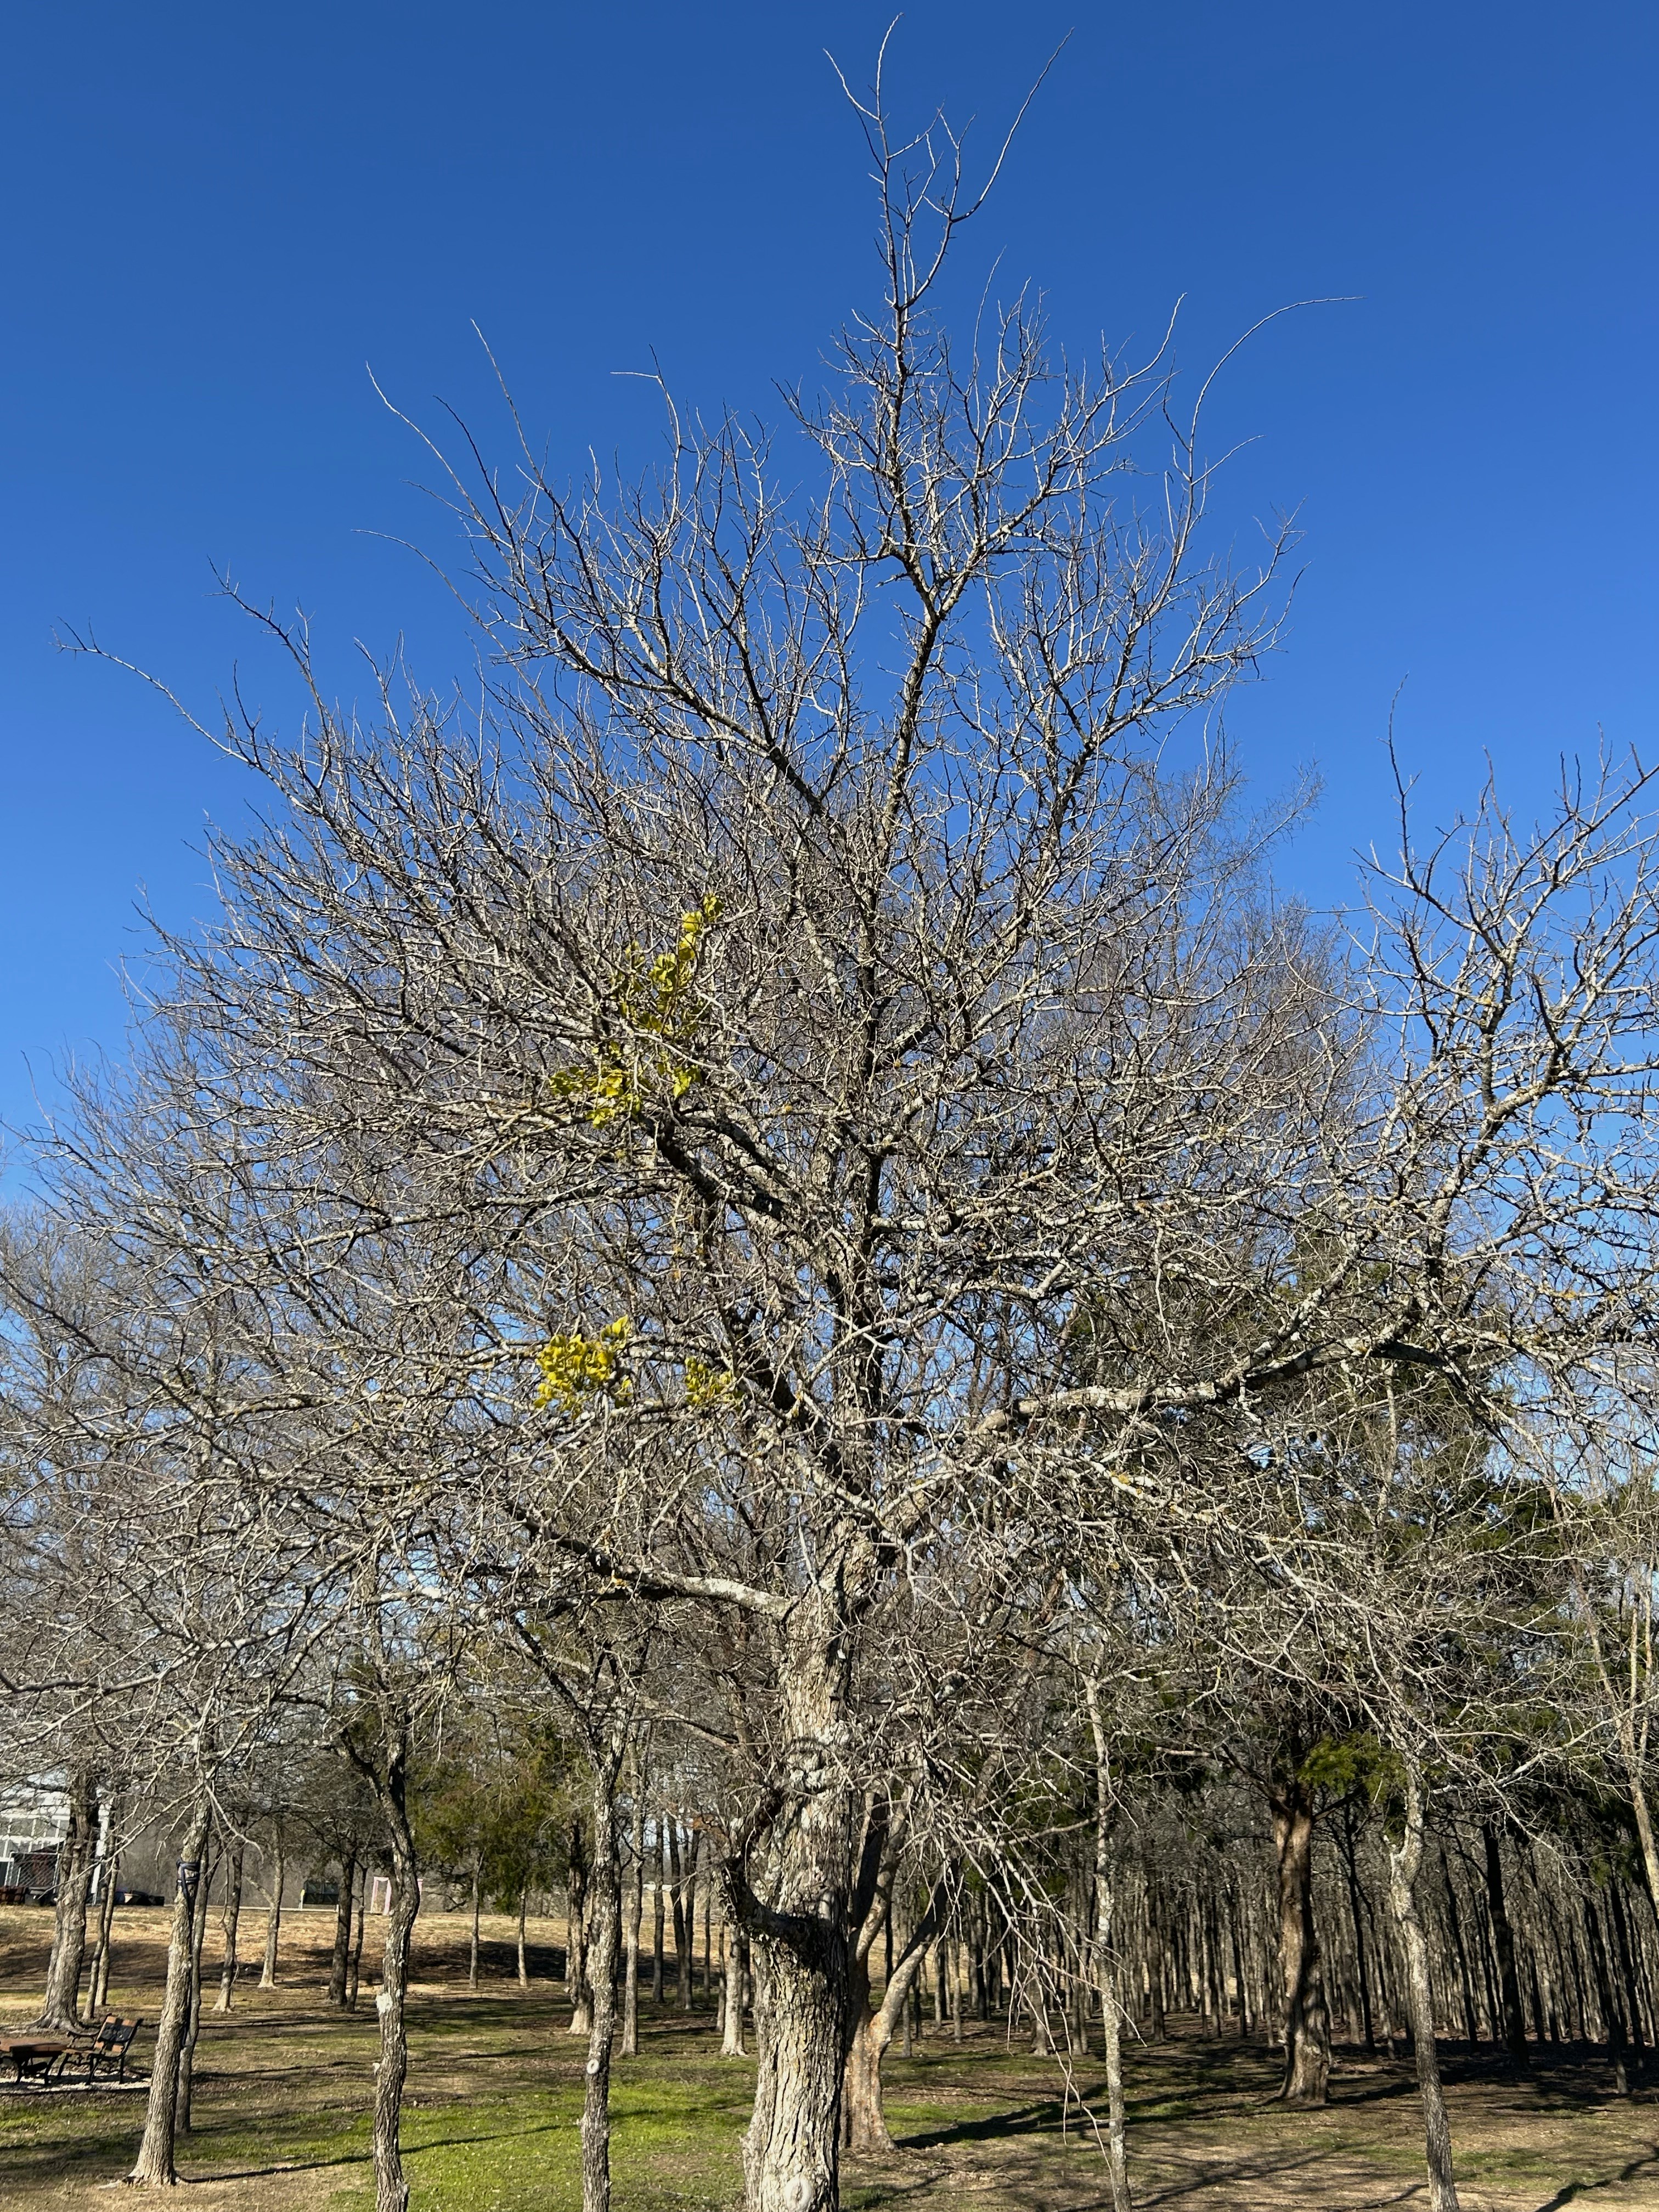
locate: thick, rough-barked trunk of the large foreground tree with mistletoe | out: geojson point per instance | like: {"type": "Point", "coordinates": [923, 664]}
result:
{"type": "Point", "coordinates": [800, 1941]}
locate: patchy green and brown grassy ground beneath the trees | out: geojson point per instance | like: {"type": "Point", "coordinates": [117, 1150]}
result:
{"type": "Point", "coordinates": [497, 2094]}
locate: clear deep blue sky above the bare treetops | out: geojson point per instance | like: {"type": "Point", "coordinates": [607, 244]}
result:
{"type": "Point", "coordinates": [216, 218]}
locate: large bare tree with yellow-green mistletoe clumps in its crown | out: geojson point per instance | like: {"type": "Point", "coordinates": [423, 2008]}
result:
{"type": "Point", "coordinates": [804, 1112]}
